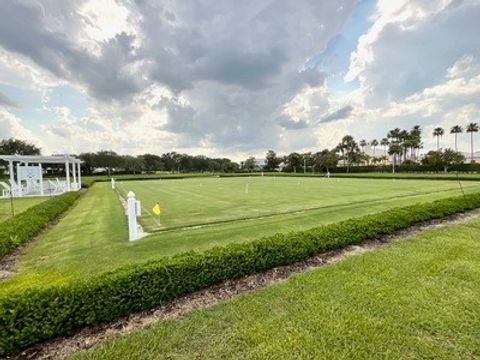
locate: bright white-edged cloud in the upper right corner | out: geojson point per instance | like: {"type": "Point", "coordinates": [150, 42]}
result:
{"type": "Point", "coordinates": [411, 44]}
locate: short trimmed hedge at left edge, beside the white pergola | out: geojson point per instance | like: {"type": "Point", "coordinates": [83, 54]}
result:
{"type": "Point", "coordinates": [24, 226]}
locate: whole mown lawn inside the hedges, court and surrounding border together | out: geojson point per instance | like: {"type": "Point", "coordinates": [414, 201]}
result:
{"type": "Point", "coordinates": [92, 236]}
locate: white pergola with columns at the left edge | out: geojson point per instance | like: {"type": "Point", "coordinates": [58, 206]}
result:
{"type": "Point", "coordinates": [29, 176]}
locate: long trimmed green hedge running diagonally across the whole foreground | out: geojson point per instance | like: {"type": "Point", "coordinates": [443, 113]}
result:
{"type": "Point", "coordinates": [32, 315]}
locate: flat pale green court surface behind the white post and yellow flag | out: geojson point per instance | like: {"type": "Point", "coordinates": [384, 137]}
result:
{"type": "Point", "coordinates": [203, 201]}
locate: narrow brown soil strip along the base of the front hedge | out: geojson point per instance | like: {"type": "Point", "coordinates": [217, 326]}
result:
{"type": "Point", "coordinates": [90, 336]}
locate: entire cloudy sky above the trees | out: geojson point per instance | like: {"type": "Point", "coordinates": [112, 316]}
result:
{"type": "Point", "coordinates": [234, 78]}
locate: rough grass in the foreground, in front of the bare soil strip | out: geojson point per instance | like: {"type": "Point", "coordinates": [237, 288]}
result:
{"type": "Point", "coordinates": [410, 300]}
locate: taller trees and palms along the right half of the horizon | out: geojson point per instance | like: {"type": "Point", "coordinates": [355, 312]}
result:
{"type": "Point", "coordinates": [403, 146]}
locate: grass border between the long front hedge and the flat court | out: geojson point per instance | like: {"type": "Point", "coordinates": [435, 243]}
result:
{"type": "Point", "coordinates": [92, 237]}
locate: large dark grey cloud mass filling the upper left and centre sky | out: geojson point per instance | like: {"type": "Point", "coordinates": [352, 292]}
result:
{"type": "Point", "coordinates": [229, 69]}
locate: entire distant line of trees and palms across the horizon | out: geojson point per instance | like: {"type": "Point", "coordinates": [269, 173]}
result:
{"type": "Point", "coordinates": [399, 147]}
